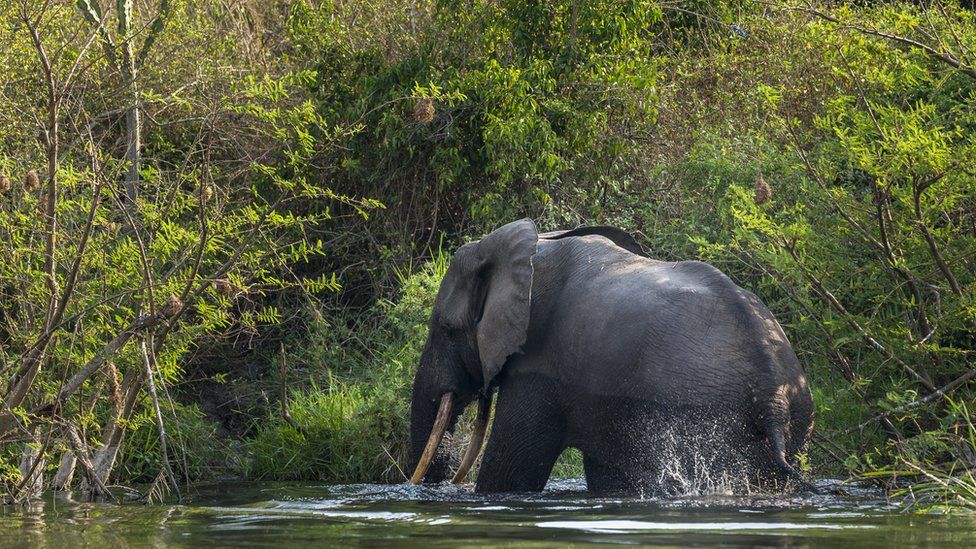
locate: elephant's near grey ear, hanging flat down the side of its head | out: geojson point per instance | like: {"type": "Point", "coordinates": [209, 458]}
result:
{"type": "Point", "coordinates": [504, 318]}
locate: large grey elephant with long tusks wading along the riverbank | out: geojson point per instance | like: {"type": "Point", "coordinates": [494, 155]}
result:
{"type": "Point", "coordinates": [645, 366]}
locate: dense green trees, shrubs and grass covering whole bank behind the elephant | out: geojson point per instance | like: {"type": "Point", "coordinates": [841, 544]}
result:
{"type": "Point", "coordinates": [226, 222]}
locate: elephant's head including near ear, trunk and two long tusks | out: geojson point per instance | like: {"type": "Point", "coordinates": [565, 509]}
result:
{"type": "Point", "coordinates": [480, 318]}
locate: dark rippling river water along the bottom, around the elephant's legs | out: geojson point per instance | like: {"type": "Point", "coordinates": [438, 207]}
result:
{"type": "Point", "coordinates": [282, 515]}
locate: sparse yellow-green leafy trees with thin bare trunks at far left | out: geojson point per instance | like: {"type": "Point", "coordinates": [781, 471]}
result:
{"type": "Point", "coordinates": [221, 217]}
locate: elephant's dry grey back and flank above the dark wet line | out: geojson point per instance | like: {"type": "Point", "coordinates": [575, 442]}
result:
{"type": "Point", "coordinates": [669, 333]}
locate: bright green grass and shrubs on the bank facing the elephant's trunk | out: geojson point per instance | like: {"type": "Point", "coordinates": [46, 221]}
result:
{"type": "Point", "coordinates": [353, 422]}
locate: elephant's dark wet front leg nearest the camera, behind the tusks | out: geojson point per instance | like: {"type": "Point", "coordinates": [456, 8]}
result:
{"type": "Point", "coordinates": [527, 436]}
